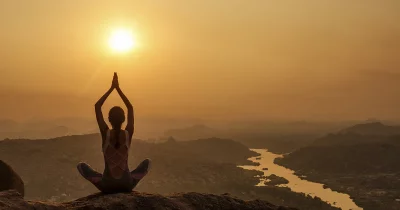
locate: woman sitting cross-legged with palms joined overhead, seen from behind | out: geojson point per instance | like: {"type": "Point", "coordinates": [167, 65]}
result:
{"type": "Point", "coordinates": [116, 144]}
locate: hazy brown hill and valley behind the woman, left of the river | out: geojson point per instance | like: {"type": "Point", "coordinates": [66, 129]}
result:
{"type": "Point", "coordinates": [48, 169]}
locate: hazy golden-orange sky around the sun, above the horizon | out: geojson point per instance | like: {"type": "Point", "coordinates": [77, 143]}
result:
{"type": "Point", "coordinates": [225, 59]}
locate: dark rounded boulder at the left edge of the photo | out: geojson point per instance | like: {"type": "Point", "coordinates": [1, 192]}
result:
{"type": "Point", "coordinates": [9, 179]}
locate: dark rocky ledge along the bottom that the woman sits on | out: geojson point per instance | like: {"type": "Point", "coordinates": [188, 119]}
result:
{"type": "Point", "coordinates": [135, 200]}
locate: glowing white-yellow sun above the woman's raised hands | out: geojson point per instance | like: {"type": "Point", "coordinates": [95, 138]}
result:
{"type": "Point", "coordinates": [122, 40]}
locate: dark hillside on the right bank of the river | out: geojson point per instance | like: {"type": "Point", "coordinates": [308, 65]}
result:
{"type": "Point", "coordinates": [361, 162]}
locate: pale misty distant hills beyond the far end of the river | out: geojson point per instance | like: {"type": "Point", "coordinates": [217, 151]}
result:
{"type": "Point", "coordinates": [278, 137]}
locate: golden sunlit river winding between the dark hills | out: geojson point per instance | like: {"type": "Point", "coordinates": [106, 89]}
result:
{"type": "Point", "coordinates": [296, 184]}
